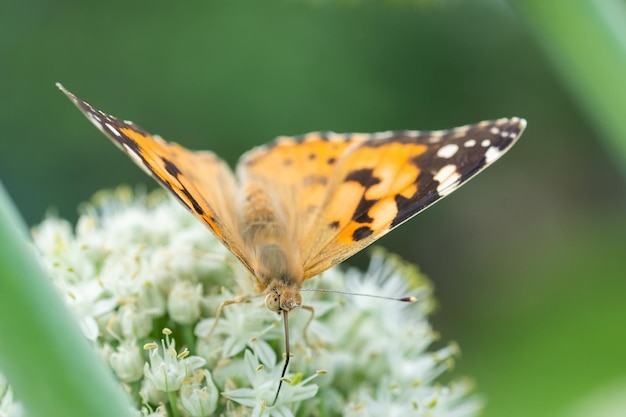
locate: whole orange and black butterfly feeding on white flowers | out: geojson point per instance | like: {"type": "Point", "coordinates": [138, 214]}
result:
{"type": "Point", "coordinates": [300, 205]}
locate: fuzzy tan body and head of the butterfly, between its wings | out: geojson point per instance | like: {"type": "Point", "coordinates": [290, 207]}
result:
{"type": "Point", "coordinates": [273, 258]}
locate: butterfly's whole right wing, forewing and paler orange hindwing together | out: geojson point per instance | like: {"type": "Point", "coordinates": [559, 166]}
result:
{"type": "Point", "coordinates": [338, 193]}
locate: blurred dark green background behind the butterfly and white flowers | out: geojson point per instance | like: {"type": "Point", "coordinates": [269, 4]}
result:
{"type": "Point", "coordinates": [529, 260]}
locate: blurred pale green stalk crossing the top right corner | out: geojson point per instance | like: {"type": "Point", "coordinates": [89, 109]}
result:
{"type": "Point", "coordinates": [586, 42]}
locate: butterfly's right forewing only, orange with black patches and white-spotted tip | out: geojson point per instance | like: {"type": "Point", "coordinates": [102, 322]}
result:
{"type": "Point", "coordinates": [380, 183]}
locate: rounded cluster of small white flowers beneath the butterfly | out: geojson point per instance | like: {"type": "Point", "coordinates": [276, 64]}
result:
{"type": "Point", "coordinates": [143, 276]}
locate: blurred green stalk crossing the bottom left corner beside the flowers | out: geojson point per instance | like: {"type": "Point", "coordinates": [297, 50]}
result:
{"type": "Point", "coordinates": [50, 364]}
